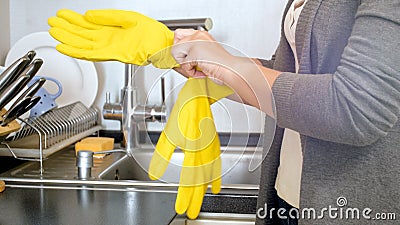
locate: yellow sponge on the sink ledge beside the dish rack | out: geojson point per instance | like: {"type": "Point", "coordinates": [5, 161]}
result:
{"type": "Point", "coordinates": [95, 144]}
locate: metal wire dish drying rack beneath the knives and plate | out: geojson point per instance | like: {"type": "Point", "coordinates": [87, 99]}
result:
{"type": "Point", "coordinates": [42, 136]}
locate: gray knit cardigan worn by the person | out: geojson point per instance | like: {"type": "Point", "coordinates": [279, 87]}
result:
{"type": "Point", "coordinates": [345, 103]}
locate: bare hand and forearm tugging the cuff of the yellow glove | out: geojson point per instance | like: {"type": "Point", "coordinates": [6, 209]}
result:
{"type": "Point", "coordinates": [199, 54]}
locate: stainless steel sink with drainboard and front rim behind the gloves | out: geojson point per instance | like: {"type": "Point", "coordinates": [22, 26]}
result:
{"type": "Point", "coordinates": [120, 170]}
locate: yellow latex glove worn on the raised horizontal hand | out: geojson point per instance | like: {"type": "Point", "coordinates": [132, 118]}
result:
{"type": "Point", "coordinates": [103, 35]}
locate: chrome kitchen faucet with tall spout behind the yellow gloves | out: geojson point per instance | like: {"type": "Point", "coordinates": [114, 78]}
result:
{"type": "Point", "coordinates": [129, 112]}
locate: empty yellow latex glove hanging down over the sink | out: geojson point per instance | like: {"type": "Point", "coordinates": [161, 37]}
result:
{"type": "Point", "coordinates": [191, 128]}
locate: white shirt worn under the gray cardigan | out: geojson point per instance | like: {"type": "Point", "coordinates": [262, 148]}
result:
{"type": "Point", "coordinates": [288, 180]}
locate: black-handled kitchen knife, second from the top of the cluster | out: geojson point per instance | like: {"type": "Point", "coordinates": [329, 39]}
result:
{"type": "Point", "coordinates": [12, 90]}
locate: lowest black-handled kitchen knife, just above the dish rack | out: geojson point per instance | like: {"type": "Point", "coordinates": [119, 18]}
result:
{"type": "Point", "coordinates": [19, 109]}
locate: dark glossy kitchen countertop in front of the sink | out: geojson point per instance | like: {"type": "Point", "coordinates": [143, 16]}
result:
{"type": "Point", "coordinates": [43, 204]}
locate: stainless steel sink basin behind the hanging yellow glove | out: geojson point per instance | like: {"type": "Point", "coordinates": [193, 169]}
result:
{"type": "Point", "coordinates": [235, 167]}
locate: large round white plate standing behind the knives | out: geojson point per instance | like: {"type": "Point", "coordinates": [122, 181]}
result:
{"type": "Point", "coordinates": [78, 77]}
